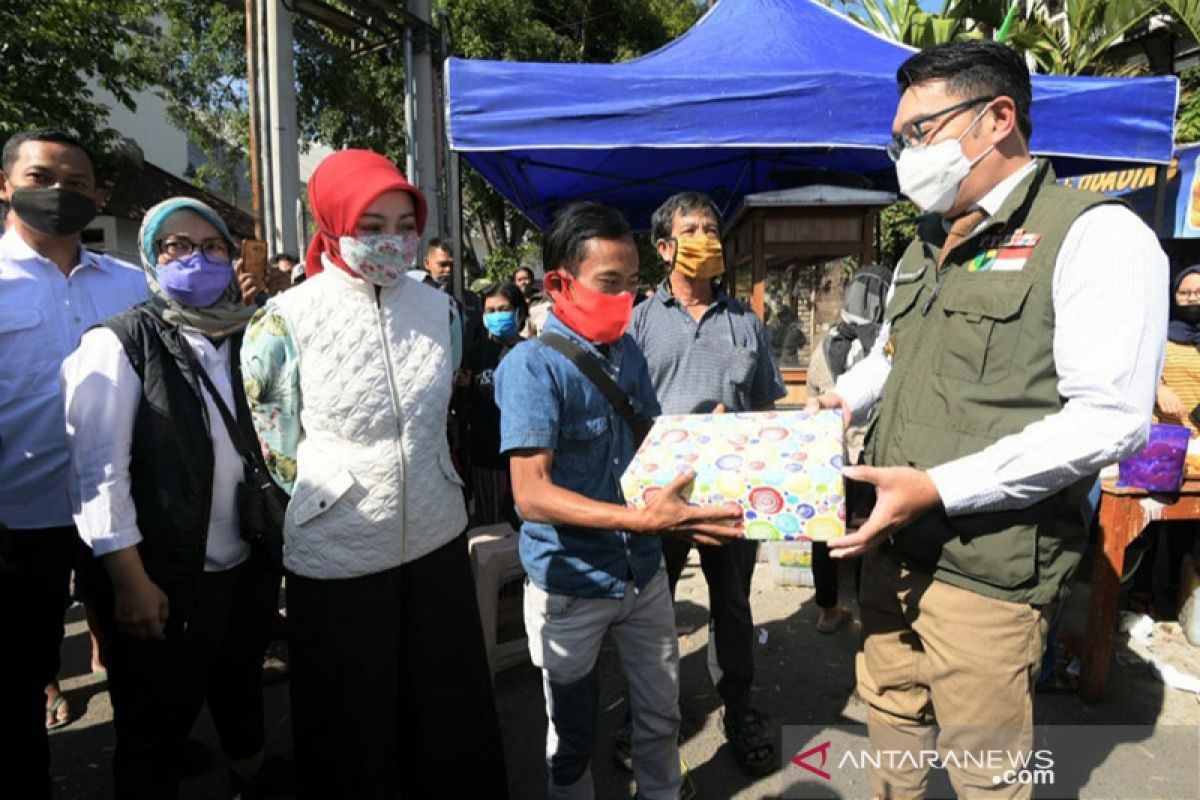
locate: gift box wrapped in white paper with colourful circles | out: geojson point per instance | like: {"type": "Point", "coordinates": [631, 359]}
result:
{"type": "Point", "coordinates": [784, 470]}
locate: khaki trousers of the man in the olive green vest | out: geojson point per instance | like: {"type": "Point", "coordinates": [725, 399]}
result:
{"type": "Point", "coordinates": [935, 653]}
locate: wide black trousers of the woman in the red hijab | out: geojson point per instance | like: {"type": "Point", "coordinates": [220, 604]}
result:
{"type": "Point", "coordinates": [391, 687]}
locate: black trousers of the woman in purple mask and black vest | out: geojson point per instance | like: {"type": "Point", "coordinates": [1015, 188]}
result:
{"type": "Point", "coordinates": [159, 688]}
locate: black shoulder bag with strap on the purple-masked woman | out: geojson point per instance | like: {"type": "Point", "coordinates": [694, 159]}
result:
{"type": "Point", "coordinates": [262, 504]}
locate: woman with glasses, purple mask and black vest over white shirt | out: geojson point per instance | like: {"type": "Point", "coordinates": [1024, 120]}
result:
{"type": "Point", "coordinates": [183, 604]}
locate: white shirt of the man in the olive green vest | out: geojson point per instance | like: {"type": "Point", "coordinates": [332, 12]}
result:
{"type": "Point", "coordinates": [1111, 305]}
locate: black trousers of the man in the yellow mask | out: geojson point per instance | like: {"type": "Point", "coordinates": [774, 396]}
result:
{"type": "Point", "coordinates": [728, 572]}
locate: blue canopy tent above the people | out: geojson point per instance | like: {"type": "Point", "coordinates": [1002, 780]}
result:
{"type": "Point", "coordinates": [759, 95]}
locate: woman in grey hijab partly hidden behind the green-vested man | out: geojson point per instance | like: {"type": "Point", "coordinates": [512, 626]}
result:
{"type": "Point", "coordinates": [843, 347]}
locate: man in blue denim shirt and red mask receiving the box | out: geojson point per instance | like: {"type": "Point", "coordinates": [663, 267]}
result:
{"type": "Point", "coordinates": [595, 564]}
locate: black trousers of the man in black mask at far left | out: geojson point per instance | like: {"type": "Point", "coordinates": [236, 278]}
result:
{"type": "Point", "coordinates": [35, 576]}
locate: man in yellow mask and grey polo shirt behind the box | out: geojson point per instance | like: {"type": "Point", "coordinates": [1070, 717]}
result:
{"type": "Point", "coordinates": [706, 352]}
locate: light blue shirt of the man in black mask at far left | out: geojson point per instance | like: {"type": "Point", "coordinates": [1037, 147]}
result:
{"type": "Point", "coordinates": [43, 316]}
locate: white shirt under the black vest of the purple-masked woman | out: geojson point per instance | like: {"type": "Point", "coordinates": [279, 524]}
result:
{"type": "Point", "coordinates": [103, 394]}
